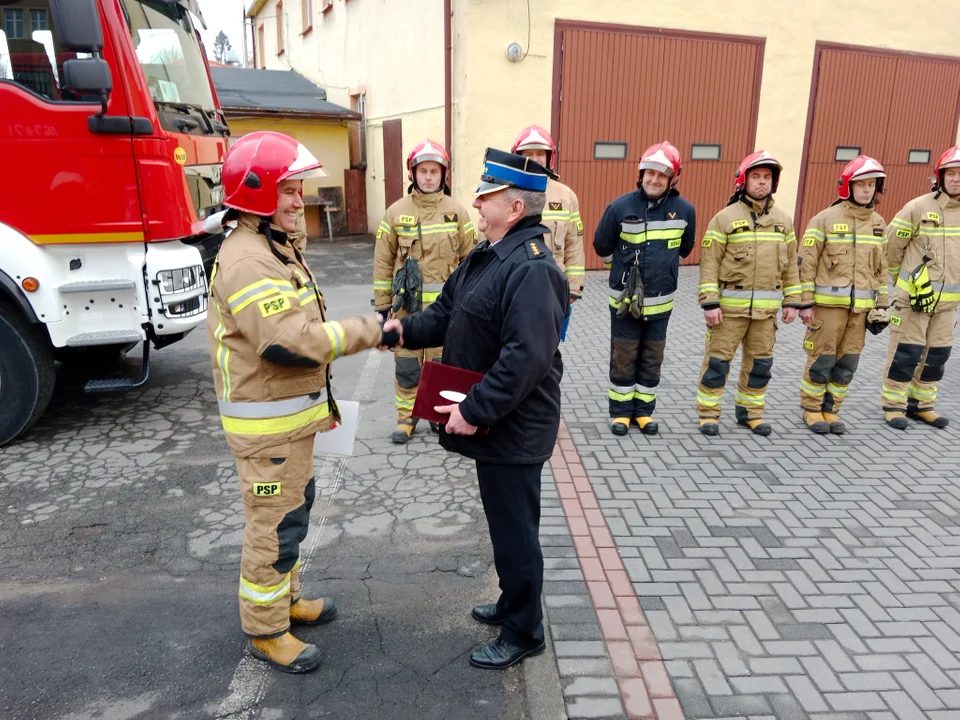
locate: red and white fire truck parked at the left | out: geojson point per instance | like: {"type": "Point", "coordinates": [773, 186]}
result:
{"type": "Point", "coordinates": [112, 141]}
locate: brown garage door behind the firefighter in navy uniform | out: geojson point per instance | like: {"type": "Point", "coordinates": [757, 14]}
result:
{"type": "Point", "coordinates": [620, 89]}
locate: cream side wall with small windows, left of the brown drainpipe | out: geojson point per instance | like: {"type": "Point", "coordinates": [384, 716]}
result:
{"type": "Point", "coordinates": [394, 48]}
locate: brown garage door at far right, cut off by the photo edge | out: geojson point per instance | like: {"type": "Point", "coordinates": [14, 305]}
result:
{"type": "Point", "coordinates": [899, 108]}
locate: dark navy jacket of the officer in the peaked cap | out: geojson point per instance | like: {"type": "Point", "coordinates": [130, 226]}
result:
{"type": "Point", "coordinates": [500, 314]}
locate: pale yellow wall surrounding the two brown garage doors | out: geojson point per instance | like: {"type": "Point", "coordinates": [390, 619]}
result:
{"type": "Point", "coordinates": [494, 98]}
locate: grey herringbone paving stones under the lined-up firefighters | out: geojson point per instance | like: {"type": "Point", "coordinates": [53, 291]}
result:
{"type": "Point", "coordinates": [789, 577]}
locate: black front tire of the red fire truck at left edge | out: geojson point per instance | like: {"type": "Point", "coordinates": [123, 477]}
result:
{"type": "Point", "coordinates": [27, 374]}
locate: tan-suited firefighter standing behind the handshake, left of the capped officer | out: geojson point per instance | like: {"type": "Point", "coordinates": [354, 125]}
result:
{"type": "Point", "coordinates": [421, 241]}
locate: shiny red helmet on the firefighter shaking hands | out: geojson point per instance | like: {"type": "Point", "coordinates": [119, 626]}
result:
{"type": "Point", "coordinates": [256, 164]}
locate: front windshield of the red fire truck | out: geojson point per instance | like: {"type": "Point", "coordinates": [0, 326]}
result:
{"type": "Point", "coordinates": [169, 53]}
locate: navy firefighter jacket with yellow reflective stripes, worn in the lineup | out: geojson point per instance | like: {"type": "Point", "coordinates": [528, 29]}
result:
{"type": "Point", "coordinates": [656, 237]}
